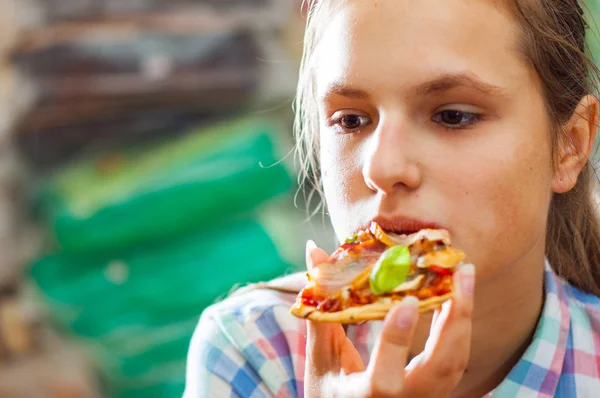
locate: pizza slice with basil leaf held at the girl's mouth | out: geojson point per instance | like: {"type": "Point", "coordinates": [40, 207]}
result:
{"type": "Point", "coordinates": [373, 270]}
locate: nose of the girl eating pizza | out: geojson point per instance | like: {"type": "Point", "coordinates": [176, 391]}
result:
{"type": "Point", "coordinates": [391, 162]}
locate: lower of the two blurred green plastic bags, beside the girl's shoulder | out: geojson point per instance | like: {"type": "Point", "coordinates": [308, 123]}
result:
{"type": "Point", "coordinates": [136, 309]}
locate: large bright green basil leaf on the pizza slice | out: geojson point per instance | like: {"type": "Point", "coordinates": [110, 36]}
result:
{"type": "Point", "coordinates": [391, 270]}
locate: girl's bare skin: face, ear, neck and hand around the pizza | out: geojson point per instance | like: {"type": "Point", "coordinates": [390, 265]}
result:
{"type": "Point", "coordinates": [428, 110]}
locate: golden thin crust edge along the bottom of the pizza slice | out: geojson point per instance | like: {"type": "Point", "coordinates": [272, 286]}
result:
{"type": "Point", "coordinates": [369, 312]}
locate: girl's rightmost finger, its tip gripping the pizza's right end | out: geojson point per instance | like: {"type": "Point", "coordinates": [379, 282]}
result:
{"type": "Point", "coordinates": [447, 351]}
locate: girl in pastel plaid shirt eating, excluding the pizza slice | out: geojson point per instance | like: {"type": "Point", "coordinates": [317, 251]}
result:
{"type": "Point", "coordinates": [472, 115]}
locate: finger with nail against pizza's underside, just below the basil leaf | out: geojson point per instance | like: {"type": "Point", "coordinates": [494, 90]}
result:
{"type": "Point", "coordinates": [390, 355]}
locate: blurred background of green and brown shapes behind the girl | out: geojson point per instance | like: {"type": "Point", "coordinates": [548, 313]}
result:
{"type": "Point", "coordinates": [139, 141]}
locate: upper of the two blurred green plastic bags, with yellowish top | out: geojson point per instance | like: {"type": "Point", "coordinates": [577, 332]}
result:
{"type": "Point", "coordinates": [135, 197]}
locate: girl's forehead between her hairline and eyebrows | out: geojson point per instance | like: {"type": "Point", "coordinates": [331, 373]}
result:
{"type": "Point", "coordinates": [394, 43]}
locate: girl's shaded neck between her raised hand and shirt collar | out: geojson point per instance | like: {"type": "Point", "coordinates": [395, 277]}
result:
{"type": "Point", "coordinates": [507, 310]}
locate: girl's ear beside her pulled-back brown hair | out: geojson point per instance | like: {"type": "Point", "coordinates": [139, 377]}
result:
{"type": "Point", "coordinates": [576, 144]}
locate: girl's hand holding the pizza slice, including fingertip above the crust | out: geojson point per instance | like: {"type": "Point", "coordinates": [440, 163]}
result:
{"type": "Point", "coordinates": [335, 369]}
